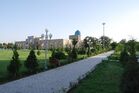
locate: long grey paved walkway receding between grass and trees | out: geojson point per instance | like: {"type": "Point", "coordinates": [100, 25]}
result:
{"type": "Point", "coordinates": [56, 80]}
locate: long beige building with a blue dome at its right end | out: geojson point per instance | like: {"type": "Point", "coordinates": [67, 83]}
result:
{"type": "Point", "coordinates": [50, 43]}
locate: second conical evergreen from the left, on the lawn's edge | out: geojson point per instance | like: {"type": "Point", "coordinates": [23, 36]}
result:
{"type": "Point", "coordinates": [31, 62]}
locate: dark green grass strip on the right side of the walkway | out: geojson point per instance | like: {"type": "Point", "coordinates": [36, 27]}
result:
{"type": "Point", "coordinates": [104, 79]}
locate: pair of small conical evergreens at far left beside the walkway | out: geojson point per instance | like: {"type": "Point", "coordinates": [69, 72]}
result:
{"type": "Point", "coordinates": [31, 64]}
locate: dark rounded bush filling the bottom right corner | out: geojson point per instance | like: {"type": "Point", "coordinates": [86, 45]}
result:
{"type": "Point", "coordinates": [130, 80]}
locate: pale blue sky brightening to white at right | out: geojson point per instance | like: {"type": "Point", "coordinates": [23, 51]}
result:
{"type": "Point", "coordinates": [22, 18]}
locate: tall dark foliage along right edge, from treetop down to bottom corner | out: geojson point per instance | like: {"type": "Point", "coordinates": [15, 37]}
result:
{"type": "Point", "coordinates": [130, 80]}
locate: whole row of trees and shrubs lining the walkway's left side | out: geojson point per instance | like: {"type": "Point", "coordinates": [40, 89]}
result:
{"type": "Point", "coordinates": [90, 45]}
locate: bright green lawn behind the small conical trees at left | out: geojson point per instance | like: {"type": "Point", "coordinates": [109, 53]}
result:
{"type": "Point", "coordinates": [6, 56]}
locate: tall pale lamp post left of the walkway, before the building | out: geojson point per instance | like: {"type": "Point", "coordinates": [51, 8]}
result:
{"type": "Point", "coordinates": [46, 48]}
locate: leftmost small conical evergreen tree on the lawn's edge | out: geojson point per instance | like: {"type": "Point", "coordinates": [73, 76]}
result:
{"type": "Point", "coordinates": [14, 65]}
